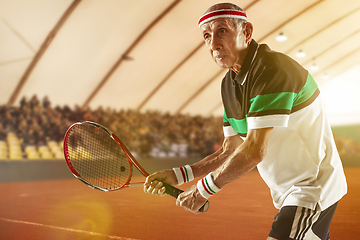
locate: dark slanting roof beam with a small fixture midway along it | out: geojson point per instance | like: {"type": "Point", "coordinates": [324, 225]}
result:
{"type": "Point", "coordinates": [125, 55]}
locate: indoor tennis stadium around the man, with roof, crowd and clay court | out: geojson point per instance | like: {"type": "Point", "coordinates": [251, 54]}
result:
{"type": "Point", "coordinates": [141, 69]}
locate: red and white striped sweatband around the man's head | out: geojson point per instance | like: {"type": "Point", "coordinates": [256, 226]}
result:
{"type": "Point", "coordinates": [223, 13]}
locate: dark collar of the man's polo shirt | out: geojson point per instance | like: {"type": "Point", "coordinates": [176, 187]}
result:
{"type": "Point", "coordinates": [250, 56]}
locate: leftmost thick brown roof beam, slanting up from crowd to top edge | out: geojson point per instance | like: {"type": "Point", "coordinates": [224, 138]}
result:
{"type": "Point", "coordinates": [45, 45]}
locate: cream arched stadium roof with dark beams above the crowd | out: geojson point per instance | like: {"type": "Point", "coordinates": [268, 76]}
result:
{"type": "Point", "coordinates": [150, 54]}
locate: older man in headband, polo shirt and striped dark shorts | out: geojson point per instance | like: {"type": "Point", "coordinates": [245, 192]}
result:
{"type": "Point", "coordinates": [273, 119]}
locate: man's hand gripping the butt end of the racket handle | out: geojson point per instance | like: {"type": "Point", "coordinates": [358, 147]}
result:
{"type": "Point", "coordinates": [191, 200]}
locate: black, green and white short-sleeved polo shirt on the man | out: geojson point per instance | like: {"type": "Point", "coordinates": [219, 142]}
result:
{"type": "Point", "coordinates": [302, 166]}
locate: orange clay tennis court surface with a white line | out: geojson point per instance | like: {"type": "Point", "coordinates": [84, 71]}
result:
{"type": "Point", "coordinates": [68, 209]}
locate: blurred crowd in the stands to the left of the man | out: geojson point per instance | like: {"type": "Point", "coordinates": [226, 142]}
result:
{"type": "Point", "coordinates": [147, 134]}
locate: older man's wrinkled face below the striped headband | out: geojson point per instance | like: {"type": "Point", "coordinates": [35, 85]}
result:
{"type": "Point", "coordinates": [226, 42]}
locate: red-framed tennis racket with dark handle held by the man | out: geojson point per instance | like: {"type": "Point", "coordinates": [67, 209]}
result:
{"type": "Point", "coordinates": [98, 158]}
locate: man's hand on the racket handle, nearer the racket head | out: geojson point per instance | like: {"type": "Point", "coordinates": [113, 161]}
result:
{"type": "Point", "coordinates": [154, 185]}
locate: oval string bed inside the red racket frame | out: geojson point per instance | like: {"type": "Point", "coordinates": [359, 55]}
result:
{"type": "Point", "coordinates": [97, 157]}
